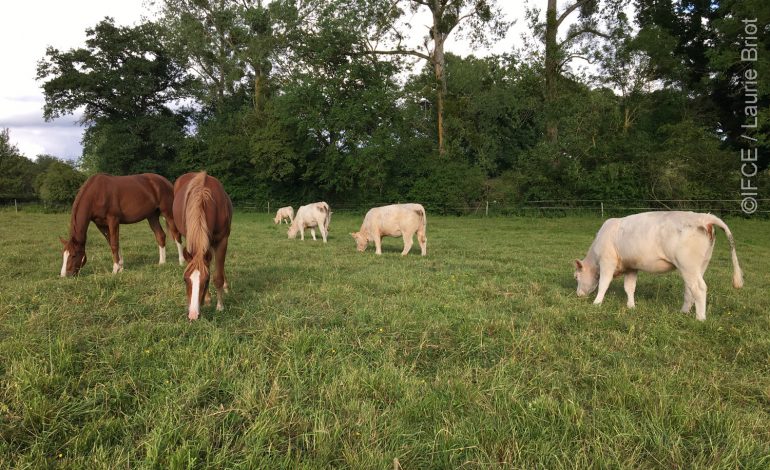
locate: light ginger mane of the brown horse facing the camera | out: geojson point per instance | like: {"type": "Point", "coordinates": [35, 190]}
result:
{"type": "Point", "coordinates": [198, 237]}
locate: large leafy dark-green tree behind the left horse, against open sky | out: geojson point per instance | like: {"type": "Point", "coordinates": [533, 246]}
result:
{"type": "Point", "coordinates": [126, 81]}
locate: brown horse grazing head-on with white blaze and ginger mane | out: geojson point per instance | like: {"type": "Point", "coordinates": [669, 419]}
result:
{"type": "Point", "coordinates": [203, 212]}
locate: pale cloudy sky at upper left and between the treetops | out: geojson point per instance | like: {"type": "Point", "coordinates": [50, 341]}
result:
{"type": "Point", "coordinates": [28, 27]}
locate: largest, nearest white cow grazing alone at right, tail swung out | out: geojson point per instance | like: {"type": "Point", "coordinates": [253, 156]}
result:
{"type": "Point", "coordinates": [655, 242]}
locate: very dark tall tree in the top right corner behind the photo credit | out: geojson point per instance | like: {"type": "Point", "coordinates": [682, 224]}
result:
{"type": "Point", "coordinates": [706, 48]}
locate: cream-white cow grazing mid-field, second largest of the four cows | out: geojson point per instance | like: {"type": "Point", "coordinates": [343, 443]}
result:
{"type": "Point", "coordinates": [393, 221]}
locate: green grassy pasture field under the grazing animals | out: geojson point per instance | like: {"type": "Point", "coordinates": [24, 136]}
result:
{"type": "Point", "coordinates": [479, 355]}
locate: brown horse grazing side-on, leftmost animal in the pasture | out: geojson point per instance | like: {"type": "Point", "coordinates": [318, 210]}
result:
{"type": "Point", "coordinates": [109, 201]}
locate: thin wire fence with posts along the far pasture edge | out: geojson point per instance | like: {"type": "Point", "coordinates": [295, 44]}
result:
{"type": "Point", "coordinates": [539, 208]}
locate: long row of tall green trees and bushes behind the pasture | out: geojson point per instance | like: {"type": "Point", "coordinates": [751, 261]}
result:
{"type": "Point", "coordinates": [302, 100]}
